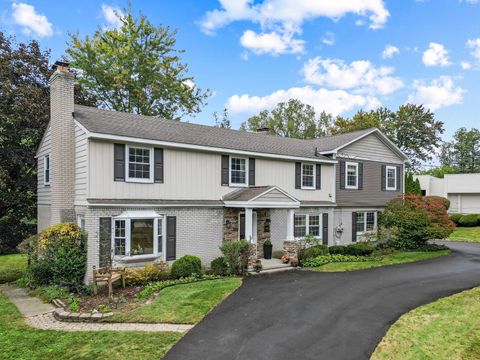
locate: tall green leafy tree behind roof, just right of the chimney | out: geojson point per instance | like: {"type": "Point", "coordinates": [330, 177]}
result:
{"type": "Point", "coordinates": [136, 68]}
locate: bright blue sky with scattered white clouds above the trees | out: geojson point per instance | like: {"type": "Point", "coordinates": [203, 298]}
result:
{"type": "Point", "coordinates": [339, 56]}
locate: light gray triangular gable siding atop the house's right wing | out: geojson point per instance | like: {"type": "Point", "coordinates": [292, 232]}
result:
{"type": "Point", "coordinates": [371, 148]}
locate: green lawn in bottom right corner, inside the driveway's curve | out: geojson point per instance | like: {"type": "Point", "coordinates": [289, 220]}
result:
{"type": "Point", "coordinates": [446, 329]}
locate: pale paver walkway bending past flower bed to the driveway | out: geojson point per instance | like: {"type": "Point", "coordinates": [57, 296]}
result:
{"type": "Point", "coordinates": [40, 315]}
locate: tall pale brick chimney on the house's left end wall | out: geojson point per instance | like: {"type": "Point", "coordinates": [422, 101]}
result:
{"type": "Point", "coordinates": [62, 158]}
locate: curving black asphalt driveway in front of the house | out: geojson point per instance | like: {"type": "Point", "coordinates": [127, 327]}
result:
{"type": "Point", "coordinates": [308, 315]}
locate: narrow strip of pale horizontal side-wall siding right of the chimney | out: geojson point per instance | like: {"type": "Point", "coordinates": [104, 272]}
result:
{"type": "Point", "coordinates": [81, 157]}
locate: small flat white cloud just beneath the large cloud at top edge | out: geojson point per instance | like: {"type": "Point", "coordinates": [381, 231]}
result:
{"type": "Point", "coordinates": [271, 43]}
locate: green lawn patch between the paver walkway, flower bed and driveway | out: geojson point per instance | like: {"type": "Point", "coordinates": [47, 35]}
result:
{"type": "Point", "coordinates": [182, 304]}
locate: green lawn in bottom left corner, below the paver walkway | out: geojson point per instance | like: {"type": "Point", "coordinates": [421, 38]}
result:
{"type": "Point", "coordinates": [19, 341]}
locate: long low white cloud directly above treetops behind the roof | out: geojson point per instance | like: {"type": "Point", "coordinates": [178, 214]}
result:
{"type": "Point", "coordinates": [331, 101]}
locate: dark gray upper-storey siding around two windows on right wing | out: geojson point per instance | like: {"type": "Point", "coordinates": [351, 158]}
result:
{"type": "Point", "coordinates": [371, 194]}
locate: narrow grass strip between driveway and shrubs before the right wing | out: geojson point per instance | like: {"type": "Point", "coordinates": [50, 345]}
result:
{"type": "Point", "coordinates": [399, 257]}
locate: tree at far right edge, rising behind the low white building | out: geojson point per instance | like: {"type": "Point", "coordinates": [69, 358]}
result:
{"type": "Point", "coordinates": [463, 152]}
